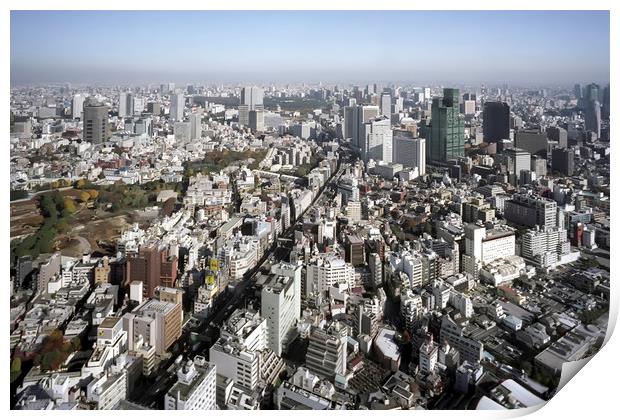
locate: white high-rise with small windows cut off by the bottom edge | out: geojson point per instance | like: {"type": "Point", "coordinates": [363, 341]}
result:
{"type": "Point", "coordinates": [194, 388]}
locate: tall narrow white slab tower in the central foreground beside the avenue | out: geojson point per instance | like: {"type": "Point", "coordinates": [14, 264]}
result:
{"type": "Point", "coordinates": [281, 307]}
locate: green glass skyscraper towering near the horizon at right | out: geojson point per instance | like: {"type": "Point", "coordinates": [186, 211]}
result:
{"type": "Point", "coordinates": [447, 128]}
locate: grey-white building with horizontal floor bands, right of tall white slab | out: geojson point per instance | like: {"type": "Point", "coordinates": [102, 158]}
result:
{"type": "Point", "coordinates": [327, 351]}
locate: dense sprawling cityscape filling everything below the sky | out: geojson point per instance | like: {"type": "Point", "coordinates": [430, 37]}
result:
{"type": "Point", "coordinates": [306, 247]}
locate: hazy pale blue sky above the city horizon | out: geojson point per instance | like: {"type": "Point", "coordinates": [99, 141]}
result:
{"type": "Point", "coordinates": [292, 46]}
